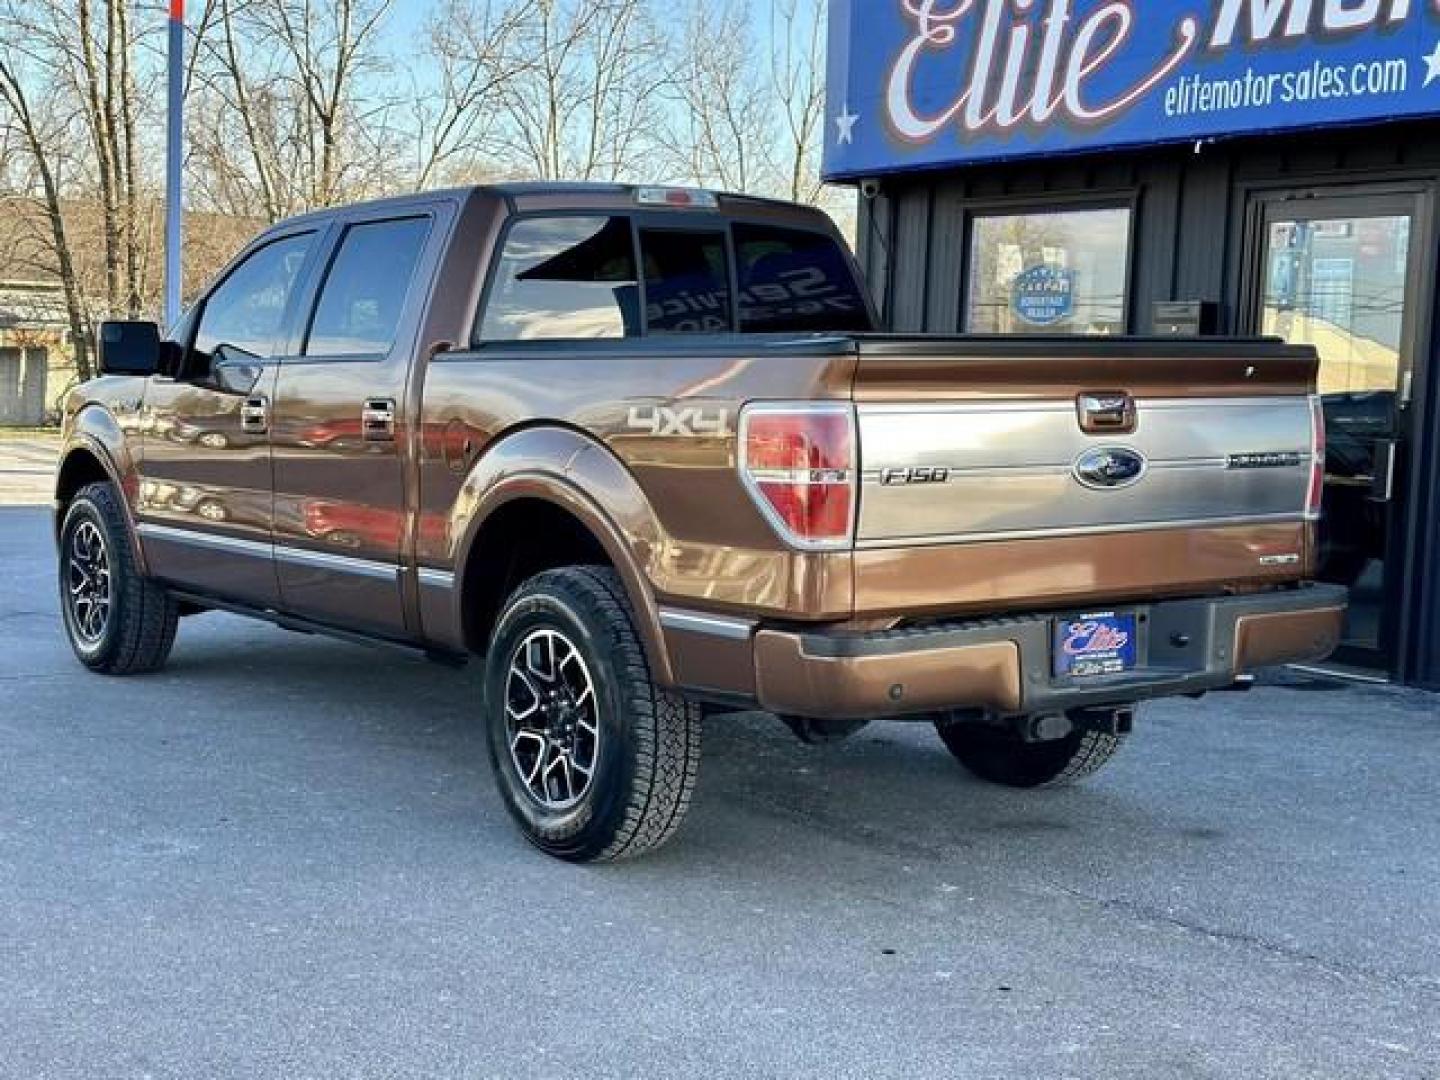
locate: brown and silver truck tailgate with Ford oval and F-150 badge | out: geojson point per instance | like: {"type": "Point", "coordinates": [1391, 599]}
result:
{"type": "Point", "coordinates": [1066, 472]}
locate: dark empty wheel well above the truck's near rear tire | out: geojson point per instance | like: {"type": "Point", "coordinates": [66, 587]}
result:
{"type": "Point", "coordinates": [518, 542]}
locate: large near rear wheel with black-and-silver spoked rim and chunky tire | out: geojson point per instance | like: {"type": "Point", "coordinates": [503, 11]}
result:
{"type": "Point", "coordinates": [646, 752]}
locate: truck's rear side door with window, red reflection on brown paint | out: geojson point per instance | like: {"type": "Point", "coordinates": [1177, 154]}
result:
{"type": "Point", "coordinates": [338, 433]}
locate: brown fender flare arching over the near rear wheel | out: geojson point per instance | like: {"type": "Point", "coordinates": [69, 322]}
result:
{"type": "Point", "coordinates": [578, 474]}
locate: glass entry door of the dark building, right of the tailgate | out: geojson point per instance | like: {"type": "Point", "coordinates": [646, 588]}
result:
{"type": "Point", "coordinates": [1343, 274]}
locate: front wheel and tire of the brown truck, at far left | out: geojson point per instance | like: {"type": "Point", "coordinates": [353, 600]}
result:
{"type": "Point", "coordinates": [139, 629]}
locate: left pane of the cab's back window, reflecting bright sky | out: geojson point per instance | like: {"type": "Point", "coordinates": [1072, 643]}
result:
{"type": "Point", "coordinates": [565, 279]}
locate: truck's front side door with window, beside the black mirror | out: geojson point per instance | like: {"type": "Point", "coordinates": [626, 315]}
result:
{"type": "Point", "coordinates": [205, 473]}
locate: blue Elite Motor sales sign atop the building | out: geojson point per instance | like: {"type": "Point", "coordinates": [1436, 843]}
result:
{"type": "Point", "coordinates": [931, 83]}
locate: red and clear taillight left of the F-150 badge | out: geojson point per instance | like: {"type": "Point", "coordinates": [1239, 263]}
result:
{"type": "Point", "coordinates": [798, 462]}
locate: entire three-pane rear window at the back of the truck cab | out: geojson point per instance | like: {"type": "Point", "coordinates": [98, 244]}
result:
{"type": "Point", "coordinates": [585, 277]}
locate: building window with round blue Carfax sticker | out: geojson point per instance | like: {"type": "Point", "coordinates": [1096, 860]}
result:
{"type": "Point", "coordinates": [1056, 273]}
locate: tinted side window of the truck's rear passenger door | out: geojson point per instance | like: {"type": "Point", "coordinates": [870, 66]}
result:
{"type": "Point", "coordinates": [366, 289]}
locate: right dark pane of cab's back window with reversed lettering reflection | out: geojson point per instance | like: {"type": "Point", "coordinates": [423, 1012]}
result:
{"type": "Point", "coordinates": [797, 282]}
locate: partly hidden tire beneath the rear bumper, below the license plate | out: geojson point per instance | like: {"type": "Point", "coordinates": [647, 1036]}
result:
{"type": "Point", "coordinates": [1002, 757]}
